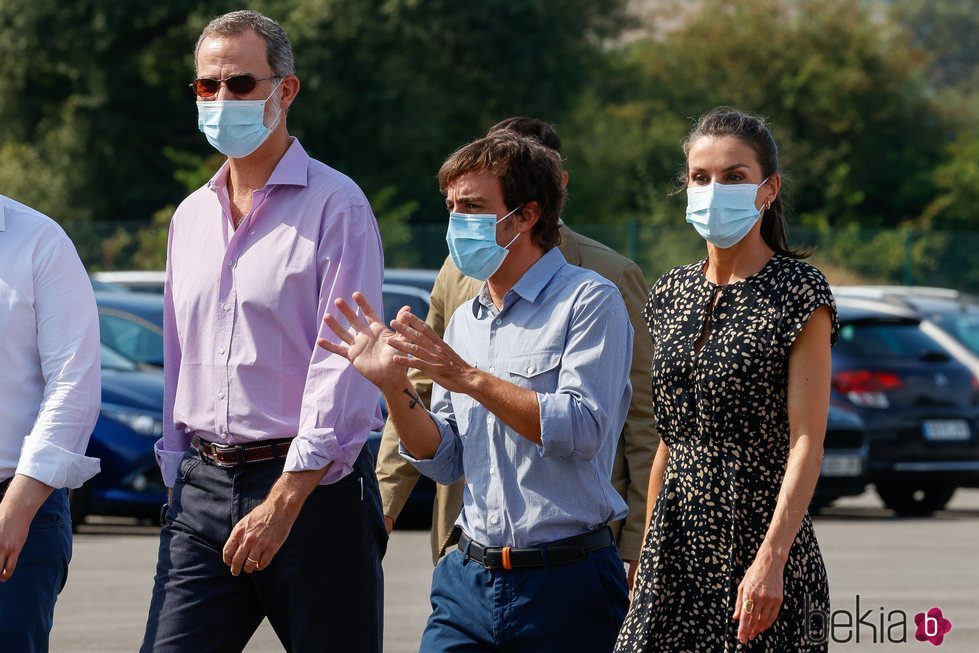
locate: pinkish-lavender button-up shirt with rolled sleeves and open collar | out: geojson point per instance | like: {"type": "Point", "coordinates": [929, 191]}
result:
{"type": "Point", "coordinates": [243, 309]}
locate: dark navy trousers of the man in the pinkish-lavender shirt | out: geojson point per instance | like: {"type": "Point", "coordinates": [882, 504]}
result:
{"type": "Point", "coordinates": [323, 590]}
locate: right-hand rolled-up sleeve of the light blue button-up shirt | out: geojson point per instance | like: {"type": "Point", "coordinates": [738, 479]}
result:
{"type": "Point", "coordinates": [593, 386]}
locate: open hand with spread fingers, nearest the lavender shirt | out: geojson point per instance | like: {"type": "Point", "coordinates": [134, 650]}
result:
{"type": "Point", "coordinates": [366, 342]}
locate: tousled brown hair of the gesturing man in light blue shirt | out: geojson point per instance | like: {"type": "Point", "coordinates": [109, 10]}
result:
{"type": "Point", "coordinates": [528, 172]}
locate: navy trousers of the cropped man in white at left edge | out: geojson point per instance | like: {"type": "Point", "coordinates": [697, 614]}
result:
{"type": "Point", "coordinates": [27, 599]}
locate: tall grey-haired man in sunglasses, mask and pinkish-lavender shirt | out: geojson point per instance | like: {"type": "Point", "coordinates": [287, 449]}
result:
{"type": "Point", "coordinates": [274, 509]}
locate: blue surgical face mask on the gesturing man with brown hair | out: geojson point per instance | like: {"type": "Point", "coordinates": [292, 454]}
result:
{"type": "Point", "coordinates": [473, 246]}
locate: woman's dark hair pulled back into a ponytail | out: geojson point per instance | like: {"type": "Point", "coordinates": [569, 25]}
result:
{"type": "Point", "coordinates": [753, 132]}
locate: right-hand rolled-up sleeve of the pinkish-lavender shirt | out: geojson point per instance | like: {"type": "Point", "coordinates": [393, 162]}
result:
{"type": "Point", "coordinates": [340, 407]}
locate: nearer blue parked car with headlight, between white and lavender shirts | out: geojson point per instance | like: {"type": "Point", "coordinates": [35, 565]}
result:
{"type": "Point", "coordinates": [130, 421]}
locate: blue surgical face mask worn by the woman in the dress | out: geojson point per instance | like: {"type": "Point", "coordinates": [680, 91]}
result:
{"type": "Point", "coordinates": [723, 214]}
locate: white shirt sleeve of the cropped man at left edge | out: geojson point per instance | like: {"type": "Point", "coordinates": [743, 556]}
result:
{"type": "Point", "coordinates": [68, 343]}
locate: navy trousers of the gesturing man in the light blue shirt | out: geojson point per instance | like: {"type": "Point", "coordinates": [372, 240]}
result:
{"type": "Point", "coordinates": [574, 607]}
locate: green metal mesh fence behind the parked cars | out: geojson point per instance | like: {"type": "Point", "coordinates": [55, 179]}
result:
{"type": "Point", "coordinates": [846, 256]}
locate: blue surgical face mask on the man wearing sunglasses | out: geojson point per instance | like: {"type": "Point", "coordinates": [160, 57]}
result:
{"type": "Point", "coordinates": [236, 128]}
